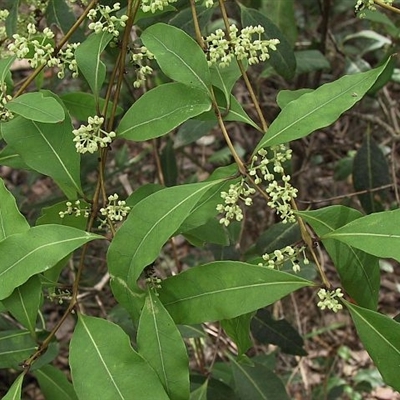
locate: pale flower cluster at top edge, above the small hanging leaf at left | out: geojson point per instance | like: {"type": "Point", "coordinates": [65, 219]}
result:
{"type": "Point", "coordinates": [103, 21]}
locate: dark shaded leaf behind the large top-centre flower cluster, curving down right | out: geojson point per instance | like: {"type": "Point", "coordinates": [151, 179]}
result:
{"type": "Point", "coordinates": [282, 59]}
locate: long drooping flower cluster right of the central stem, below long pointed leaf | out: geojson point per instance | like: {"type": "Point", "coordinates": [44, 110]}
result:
{"type": "Point", "coordinates": [264, 168]}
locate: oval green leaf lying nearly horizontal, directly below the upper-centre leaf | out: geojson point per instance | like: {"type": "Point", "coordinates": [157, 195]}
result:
{"type": "Point", "coordinates": [162, 109]}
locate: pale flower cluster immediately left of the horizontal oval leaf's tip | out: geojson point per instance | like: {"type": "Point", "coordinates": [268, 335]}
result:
{"type": "Point", "coordinates": [90, 137]}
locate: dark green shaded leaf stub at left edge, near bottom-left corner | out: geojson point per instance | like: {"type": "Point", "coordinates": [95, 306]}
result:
{"type": "Point", "coordinates": [15, 347]}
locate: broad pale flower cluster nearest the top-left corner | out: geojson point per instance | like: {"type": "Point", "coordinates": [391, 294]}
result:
{"type": "Point", "coordinates": [38, 47]}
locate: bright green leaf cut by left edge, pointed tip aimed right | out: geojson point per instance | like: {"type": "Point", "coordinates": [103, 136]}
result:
{"type": "Point", "coordinates": [36, 250]}
